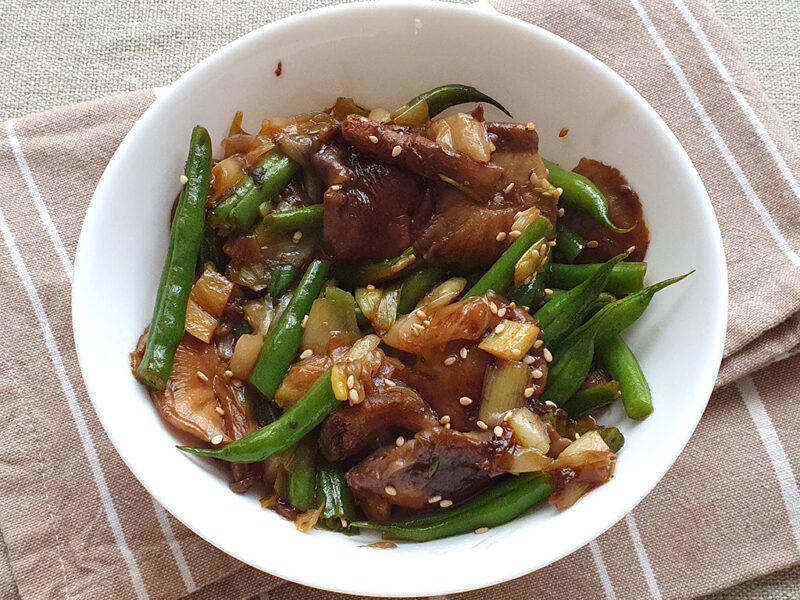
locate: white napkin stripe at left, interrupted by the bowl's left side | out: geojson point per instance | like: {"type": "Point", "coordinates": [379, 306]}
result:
{"type": "Point", "coordinates": [161, 514]}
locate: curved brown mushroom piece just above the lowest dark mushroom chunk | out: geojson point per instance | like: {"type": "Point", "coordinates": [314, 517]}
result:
{"type": "Point", "coordinates": [350, 429]}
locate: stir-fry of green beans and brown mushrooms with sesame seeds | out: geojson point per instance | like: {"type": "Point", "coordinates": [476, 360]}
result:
{"type": "Point", "coordinates": [398, 321]}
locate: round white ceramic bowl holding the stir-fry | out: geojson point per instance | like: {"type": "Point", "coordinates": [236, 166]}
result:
{"type": "Point", "coordinates": [382, 54]}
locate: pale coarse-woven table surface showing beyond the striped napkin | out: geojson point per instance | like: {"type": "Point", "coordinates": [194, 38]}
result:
{"type": "Point", "coordinates": [58, 52]}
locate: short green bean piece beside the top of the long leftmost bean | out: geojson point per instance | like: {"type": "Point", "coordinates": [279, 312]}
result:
{"type": "Point", "coordinates": [268, 178]}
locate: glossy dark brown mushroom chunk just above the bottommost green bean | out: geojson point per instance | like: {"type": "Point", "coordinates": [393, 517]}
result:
{"type": "Point", "coordinates": [438, 465]}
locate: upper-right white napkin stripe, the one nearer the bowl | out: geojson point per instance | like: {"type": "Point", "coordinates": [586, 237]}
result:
{"type": "Point", "coordinates": [713, 132]}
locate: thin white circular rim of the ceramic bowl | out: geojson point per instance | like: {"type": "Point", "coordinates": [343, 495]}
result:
{"type": "Point", "coordinates": [717, 325]}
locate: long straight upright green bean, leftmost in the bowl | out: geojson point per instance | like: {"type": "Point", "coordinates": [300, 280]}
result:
{"type": "Point", "coordinates": [169, 312]}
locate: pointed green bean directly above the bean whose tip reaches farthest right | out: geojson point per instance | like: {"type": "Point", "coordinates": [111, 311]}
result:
{"type": "Point", "coordinates": [559, 317]}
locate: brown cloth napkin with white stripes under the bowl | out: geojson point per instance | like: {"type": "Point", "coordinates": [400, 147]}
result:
{"type": "Point", "coordinates": [76, 524]}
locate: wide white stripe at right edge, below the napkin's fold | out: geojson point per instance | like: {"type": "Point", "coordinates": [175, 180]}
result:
{"type": "Point", "coordinates": [777, 455]}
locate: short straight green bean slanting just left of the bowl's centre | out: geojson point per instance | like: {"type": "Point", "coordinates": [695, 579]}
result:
{"type": "Point", "coordinates": [280, 345]}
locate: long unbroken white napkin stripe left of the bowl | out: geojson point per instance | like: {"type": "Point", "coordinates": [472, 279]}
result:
{"type": "Point", "coordinates": [74, 407]}
